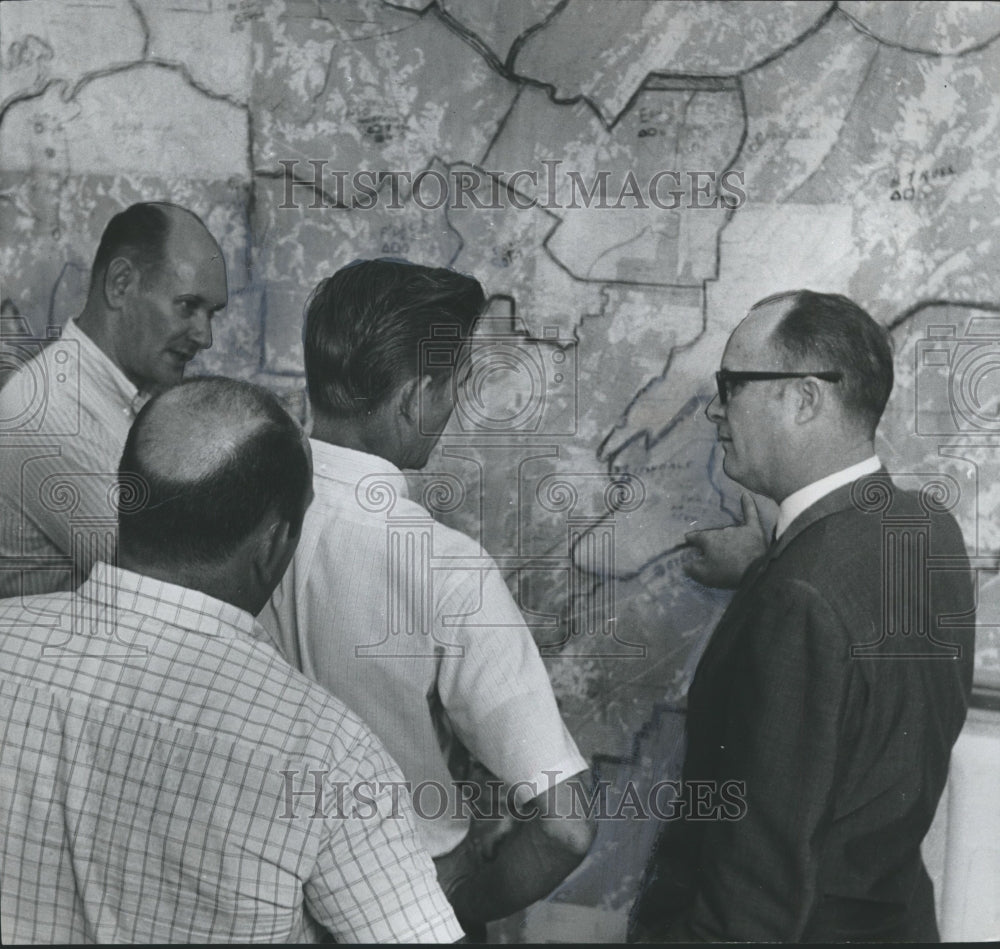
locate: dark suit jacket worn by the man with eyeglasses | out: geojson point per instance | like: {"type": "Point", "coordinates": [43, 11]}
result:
{"type": "Point", "coordinates": [838, 721]}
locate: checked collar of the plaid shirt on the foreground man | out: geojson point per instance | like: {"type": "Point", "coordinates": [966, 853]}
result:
{"type": "Point", "coordinates": [179, 606]}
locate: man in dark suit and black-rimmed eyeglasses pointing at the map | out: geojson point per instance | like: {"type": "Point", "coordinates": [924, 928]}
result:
{"type": "Point", "coordinates": [834, 722]}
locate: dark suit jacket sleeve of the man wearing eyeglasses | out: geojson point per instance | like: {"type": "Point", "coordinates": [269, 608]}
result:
{"type": "Point", "coordinates": [759, 878]}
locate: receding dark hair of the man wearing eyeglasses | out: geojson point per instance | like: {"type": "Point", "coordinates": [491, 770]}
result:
{"type": "Point", "coordinates": [827, 331]}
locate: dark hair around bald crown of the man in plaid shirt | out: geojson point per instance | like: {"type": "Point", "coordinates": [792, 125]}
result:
{"type": "Point", "coordinates": [166, 518]}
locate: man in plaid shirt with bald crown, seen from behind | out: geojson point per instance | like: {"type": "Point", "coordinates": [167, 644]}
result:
{"type": "Point", "coordinates": [150, 729]}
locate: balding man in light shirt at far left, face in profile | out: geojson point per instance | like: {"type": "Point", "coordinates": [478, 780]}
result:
{"type": "Point", "coordinates": [157, 280]}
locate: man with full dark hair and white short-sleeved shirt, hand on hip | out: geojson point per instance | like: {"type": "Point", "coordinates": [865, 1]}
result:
{"type": "Point", "coordinates": [465, 673]}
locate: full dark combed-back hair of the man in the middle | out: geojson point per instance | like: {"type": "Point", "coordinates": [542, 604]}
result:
{"type": "Point", "coordinates": [366, 325]}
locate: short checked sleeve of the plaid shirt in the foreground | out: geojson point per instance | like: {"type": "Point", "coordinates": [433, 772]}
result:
{"type": "Point", "coordinates": [373, 882]}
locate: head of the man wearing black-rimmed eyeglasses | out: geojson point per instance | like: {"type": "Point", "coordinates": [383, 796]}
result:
{"type": "Point", "coordinates": [803, 382]}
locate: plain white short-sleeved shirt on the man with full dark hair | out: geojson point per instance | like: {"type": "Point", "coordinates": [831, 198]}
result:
{"type": "Point", "coordinates": [411, 624]}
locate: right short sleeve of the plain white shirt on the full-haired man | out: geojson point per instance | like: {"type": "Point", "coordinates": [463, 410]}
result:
{"type": "Point", "coordinates": [497, 694]}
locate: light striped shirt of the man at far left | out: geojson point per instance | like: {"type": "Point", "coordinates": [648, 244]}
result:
{"type": "Point", "coordinates": [64, 418]}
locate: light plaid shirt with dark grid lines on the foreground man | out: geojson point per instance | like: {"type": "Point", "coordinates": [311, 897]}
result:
{"type": "Point", "coordinates": [157, 783]}
